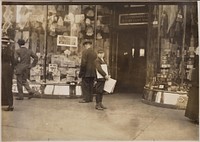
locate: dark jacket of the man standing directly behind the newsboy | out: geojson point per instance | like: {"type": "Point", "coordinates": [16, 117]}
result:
{"type": "Point", "coordinates": [87, 68]}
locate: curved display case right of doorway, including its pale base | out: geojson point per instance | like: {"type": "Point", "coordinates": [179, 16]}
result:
{"type": "Point", "coordinates": [170, 84]}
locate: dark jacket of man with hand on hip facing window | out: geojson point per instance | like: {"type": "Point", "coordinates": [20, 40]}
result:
{"type": "Point", "coordinates": [23, 59]}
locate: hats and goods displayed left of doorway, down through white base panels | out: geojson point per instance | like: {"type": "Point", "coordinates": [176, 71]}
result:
{"type": "Point", "coordinates": [67, 27]}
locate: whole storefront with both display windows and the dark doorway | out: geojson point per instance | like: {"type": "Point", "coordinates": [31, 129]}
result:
{"type": "Point", "coordinates": [149, 46]}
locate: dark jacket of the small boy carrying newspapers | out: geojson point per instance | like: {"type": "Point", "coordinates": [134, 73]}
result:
{"type": "Point", "coordinates": [98, 64]}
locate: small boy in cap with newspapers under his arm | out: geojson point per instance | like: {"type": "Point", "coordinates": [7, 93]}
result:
{"type": "Point", "coordinates": [99, 86]}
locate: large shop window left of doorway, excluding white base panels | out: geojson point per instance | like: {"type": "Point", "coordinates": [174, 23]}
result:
{"type": "Point", "coordinates": [56, 33]}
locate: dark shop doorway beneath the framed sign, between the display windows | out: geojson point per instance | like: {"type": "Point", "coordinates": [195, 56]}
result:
{"type": "Point", "coordinates": [131, 60]}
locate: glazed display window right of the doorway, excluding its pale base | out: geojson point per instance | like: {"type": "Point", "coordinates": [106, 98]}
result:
{"type": "Point", "coordinates": [176, 49]}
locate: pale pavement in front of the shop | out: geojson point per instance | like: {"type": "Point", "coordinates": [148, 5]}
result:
{"type": "Point", "coordinates": [126, 119]}
